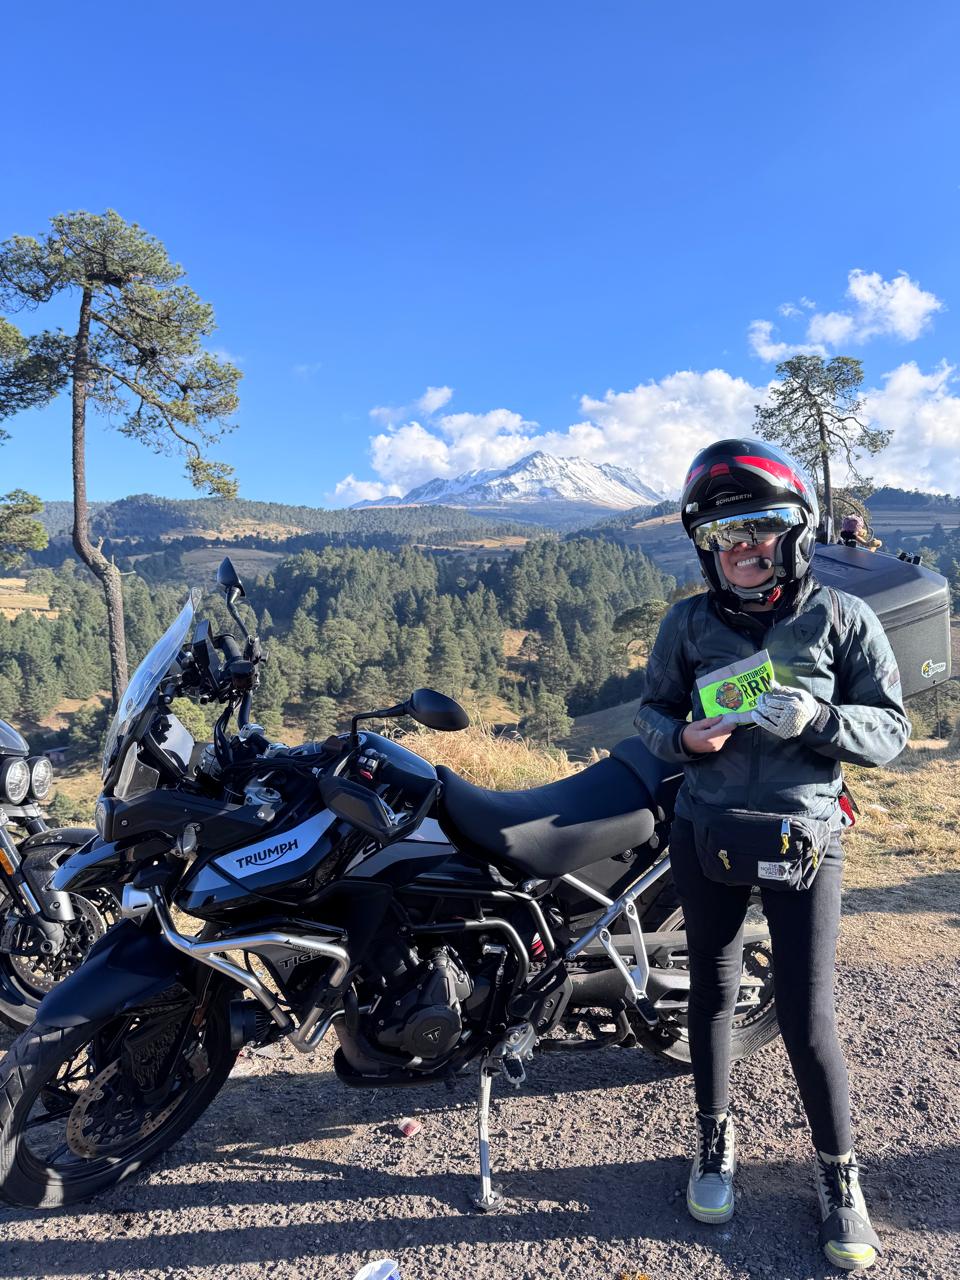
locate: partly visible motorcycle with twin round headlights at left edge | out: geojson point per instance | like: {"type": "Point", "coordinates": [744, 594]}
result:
{"type": "Point", "coordinates": [44, 932]}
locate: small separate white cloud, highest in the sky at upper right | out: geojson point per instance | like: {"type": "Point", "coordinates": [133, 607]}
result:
{"type": "Point", "coordinates": [898, 309]}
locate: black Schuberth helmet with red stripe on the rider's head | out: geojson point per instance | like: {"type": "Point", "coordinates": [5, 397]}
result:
{"type": "Point", "coordinates": [744, 478]}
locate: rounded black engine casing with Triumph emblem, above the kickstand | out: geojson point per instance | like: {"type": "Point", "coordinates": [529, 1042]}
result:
{"type": "Point", "coordinates": [423, 1016]}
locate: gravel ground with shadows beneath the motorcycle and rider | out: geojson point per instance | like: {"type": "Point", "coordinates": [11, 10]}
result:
{"type": "Point", "coordinates": [290, 1174]}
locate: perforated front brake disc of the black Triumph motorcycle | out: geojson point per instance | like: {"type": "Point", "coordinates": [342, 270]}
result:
{"type": "Point", "coordinates": [108, 1118]}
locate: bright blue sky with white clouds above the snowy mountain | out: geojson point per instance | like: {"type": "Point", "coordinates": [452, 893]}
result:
{"type": "Point", "coordinates": [596, 226]}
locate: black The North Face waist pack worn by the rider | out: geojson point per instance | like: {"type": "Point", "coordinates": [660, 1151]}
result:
{"type": "Point", "coordinates": [783, 852]}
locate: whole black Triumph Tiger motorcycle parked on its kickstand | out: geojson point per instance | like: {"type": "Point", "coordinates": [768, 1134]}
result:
{"type": "Point", "coordinates": [345, 888]}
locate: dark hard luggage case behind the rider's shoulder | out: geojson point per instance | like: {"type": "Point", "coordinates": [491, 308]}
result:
{"type": "Point", "coordinates": [912, 604]}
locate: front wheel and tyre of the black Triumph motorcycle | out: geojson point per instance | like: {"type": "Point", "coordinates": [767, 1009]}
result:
{"type": "Point", "coordinates": [84, 1108]}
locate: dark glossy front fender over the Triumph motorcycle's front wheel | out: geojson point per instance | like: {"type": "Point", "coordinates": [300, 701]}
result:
{"type": "Point", "coordinates": [125, 968]}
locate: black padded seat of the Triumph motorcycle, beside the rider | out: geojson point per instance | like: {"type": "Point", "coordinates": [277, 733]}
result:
{"type": "Point", "coordinates": [550, 831]}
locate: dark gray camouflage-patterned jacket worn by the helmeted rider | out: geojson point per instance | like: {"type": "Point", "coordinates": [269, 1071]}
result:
{"type": "Point", "coordinates": [830, 644]}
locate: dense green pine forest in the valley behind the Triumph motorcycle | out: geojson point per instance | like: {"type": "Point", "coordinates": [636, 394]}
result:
{"type": "Point", "coordinates": [353, 628]}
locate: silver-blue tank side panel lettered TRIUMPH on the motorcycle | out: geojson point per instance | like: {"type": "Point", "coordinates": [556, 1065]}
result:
{"type": "Point", "coordinates": [275, 861]}
